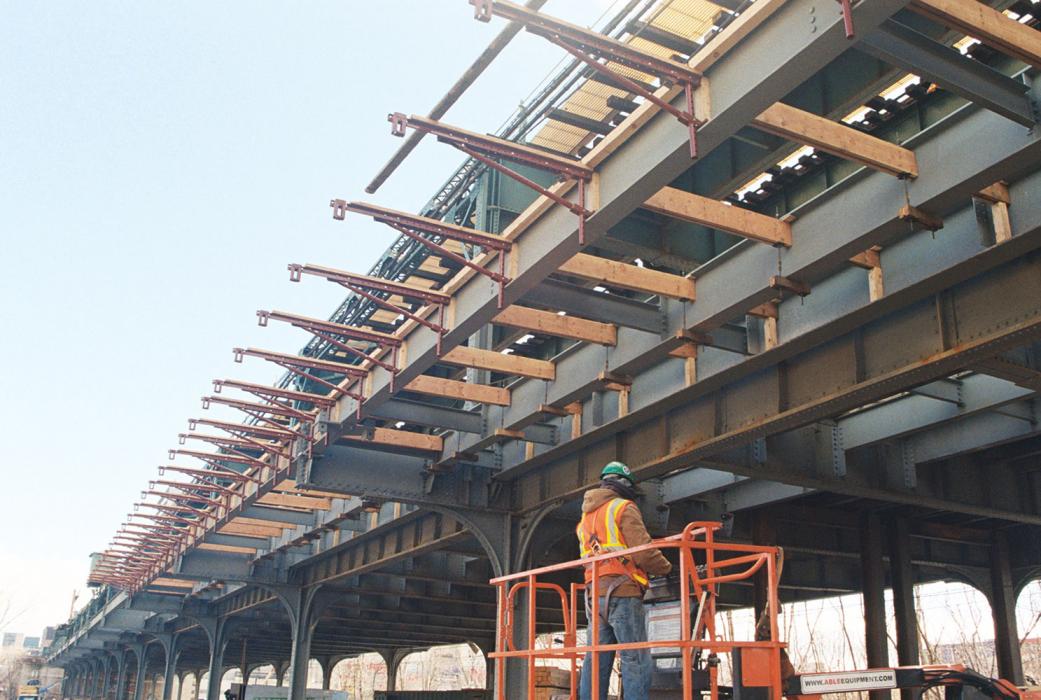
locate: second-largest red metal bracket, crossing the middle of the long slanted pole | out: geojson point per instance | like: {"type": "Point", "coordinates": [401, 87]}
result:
{"type": "Point", "coordinates": [487, 149]}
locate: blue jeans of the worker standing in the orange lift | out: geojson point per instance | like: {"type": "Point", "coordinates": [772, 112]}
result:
{"type": "Point", "coordinates": [626, 622]}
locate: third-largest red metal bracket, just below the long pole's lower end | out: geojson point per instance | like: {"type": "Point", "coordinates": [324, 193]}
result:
{"type": "Point", "coordinates": [415, 228]}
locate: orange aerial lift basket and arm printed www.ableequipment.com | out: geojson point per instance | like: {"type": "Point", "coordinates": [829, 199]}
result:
{"type": "Point", "coordinates": [704, 565]}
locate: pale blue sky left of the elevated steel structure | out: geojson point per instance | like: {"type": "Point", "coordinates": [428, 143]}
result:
{"type": "Point", "coordinates": [161, 163]}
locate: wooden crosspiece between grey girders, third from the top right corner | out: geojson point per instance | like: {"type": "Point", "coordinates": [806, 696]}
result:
{"type": "Point", "coordinates": [698, 210]}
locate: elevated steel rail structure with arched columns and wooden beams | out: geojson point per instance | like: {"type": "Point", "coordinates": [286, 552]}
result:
{"type": "Point", "coordinates": [781, 258]}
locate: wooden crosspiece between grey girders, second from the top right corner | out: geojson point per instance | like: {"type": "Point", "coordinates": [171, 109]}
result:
{"type": "Point", "coordinates": [837, 139]}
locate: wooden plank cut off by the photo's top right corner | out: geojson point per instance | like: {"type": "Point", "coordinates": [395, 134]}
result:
{"type": "Point", "coordinates": [987, 24]}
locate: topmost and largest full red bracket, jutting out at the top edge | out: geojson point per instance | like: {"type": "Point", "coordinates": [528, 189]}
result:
{"type": "Point", "coordinates": [591, 47]}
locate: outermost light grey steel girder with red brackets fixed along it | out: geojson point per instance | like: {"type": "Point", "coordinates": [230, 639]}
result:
{"type": "Point", "coordinates": [785, 51]}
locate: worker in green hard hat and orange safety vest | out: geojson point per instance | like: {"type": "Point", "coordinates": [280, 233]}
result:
{"type": "Point", "coordinates": [612, 521]}
